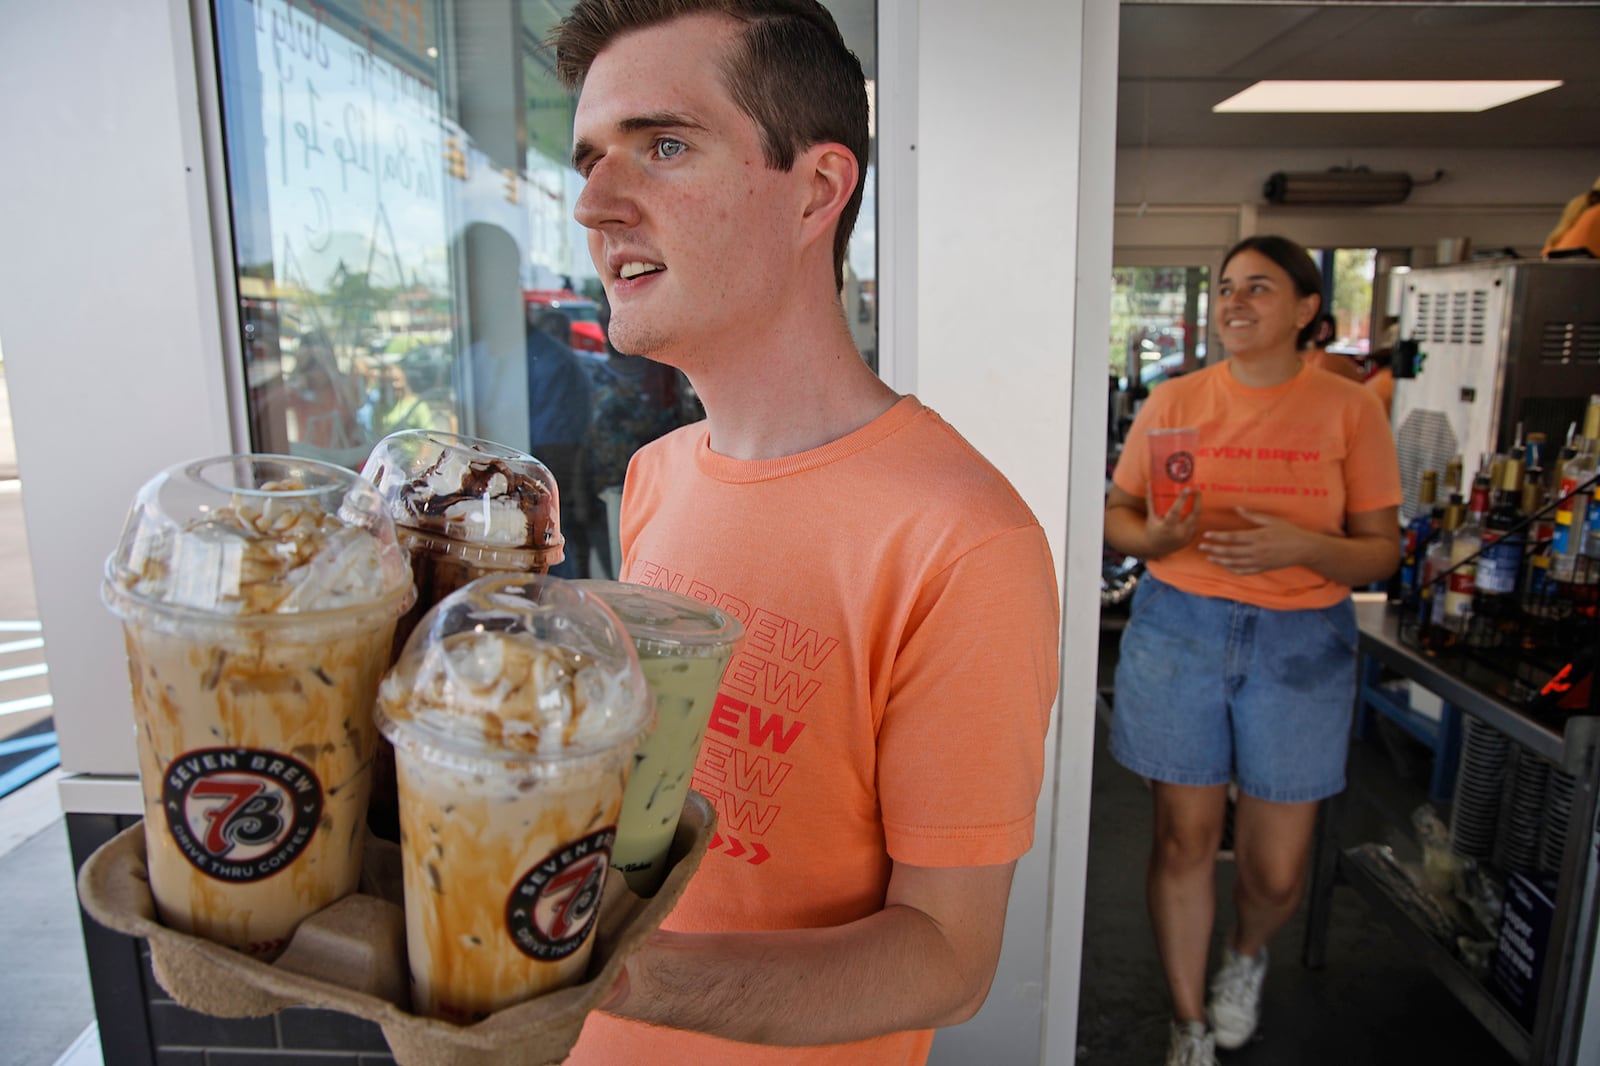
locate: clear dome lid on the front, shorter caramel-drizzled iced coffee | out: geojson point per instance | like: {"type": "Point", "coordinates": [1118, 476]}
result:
{"type": "Point", "coordinates": [522, 667]}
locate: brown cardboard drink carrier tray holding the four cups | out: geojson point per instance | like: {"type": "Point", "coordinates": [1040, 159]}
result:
{"type": "Point", "coordinates": [351, 956]}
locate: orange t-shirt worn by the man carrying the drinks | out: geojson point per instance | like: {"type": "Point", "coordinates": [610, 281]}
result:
{"type": "Point", "coordinates": [890, 697]}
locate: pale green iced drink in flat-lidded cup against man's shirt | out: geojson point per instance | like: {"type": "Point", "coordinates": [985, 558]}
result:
{"type": "Point", "coordinates": [684, 647]}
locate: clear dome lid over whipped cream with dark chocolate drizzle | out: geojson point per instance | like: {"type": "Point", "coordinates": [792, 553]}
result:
{"type": "Point", "coordinates": [468, 491]}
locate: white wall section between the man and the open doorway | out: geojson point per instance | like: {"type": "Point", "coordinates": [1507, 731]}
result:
{"type": "Point", "coordinates": [1002, 194]}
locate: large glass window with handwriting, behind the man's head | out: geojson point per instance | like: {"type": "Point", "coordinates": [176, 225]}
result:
{"type": "Point", "coordinates": [406, 247]}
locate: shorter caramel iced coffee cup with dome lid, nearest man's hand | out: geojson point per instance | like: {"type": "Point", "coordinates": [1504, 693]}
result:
{"type": "Point", "coordinates": [514, 711]}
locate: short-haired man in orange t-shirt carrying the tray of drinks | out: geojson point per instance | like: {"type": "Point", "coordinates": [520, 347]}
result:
{"type": "Point", "coordinates": [878, 745]}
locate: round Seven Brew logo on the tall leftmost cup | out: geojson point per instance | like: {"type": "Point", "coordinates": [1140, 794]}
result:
{"type": "Point", "coordinates": [239, 814]}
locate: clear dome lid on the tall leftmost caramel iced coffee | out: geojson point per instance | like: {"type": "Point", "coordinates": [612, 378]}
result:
{"type": "Point", "coordinates": [257, 537]}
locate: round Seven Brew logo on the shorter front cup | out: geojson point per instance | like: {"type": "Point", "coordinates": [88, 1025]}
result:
{"type": "Point", "coordinates": [558, 902]}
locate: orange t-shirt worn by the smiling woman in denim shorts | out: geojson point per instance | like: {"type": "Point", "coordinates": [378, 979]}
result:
{"type": "Point", "coordinates": [1308, 451]}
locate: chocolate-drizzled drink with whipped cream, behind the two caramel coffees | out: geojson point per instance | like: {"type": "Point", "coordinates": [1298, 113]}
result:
{"type": "Point", "coordinates": [463, 508]}
